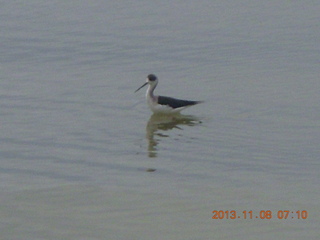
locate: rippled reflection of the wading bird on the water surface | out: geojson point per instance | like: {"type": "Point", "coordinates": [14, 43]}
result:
{"type": "Point", "coordinates": [159, 124]}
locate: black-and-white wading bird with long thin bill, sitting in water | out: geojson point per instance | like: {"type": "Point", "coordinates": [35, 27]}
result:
{"type": "Point", "coordinates": [162, 104]}
